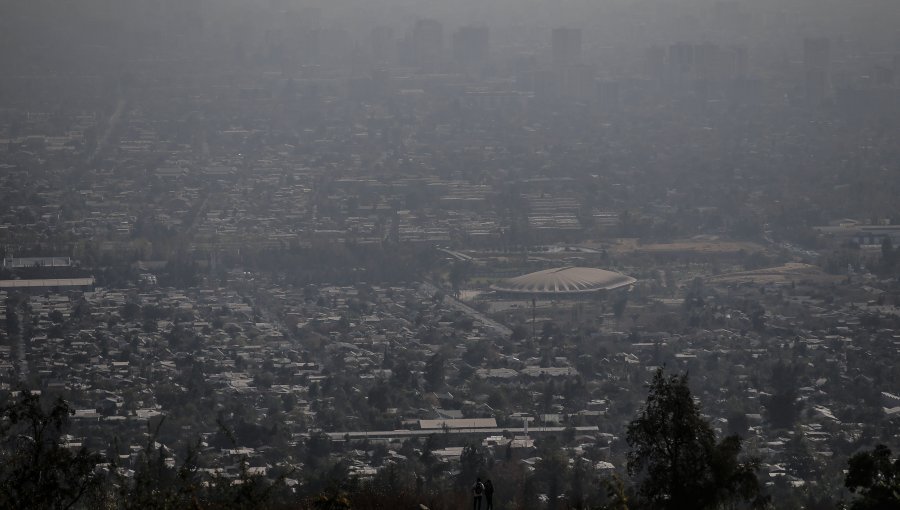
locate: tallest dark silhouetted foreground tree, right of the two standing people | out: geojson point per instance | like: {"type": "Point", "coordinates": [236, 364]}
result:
{"type": "Point", "coordinates": [675, 456]}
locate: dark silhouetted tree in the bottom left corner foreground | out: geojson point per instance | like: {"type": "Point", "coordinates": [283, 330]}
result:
{"type": "Point", "coordinates": [36, 469]}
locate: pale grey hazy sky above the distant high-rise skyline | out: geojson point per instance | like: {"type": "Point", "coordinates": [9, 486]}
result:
{"type": "Point", "coordinates": [49, 33]}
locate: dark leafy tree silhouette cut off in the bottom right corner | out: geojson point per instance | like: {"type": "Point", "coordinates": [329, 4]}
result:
{"type": "Point", "coordinates": [876, 478]}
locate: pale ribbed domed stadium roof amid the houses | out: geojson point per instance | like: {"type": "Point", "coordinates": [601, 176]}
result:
{"type": "Point", "coordinates": [564, 281]}
